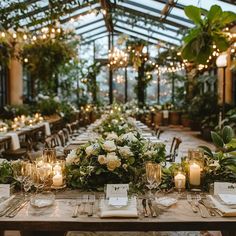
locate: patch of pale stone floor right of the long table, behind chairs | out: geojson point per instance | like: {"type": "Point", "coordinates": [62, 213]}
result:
{"type": "Point", "coordinates": [190, 139]}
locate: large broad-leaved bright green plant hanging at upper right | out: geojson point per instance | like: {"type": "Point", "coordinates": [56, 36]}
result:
{"type": "Point", "coordinates": [198, 44]}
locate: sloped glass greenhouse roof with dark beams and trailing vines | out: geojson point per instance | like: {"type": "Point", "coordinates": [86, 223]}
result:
{"type": "Point", "coordinates": [156, 21]}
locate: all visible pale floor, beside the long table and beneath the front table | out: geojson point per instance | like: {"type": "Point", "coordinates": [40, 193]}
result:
{"type": "Point", "coordinates": [190, 139]}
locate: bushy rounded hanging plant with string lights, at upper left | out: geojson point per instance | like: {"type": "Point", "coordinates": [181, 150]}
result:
{"type": "Point", "coordinates": [46, 56]}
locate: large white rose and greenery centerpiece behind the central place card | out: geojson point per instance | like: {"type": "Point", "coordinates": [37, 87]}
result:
{"type": "Point", "coordinates": [113, 159]}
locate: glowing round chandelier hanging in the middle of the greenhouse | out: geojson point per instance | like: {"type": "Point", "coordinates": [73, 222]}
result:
{"type": "Point", "coordinates": [117, 58]}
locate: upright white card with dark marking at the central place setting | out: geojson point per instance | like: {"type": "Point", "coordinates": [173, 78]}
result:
{"type": "Point", "coordinates": [117, 190]}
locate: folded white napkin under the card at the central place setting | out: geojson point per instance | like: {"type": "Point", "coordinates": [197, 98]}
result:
{"type": "Point", "coordinates": [129, 211]}
